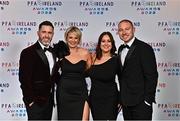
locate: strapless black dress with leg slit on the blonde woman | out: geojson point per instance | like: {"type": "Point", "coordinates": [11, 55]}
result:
{"type": "Point", "coordinates": [71, 90]}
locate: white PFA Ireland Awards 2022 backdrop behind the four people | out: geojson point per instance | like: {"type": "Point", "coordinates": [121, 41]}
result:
{"type": "Point", "coordinates": [157, 22]}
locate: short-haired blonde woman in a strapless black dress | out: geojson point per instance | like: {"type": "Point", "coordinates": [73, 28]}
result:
{"type": "Point", "coordinates": [72, 94]}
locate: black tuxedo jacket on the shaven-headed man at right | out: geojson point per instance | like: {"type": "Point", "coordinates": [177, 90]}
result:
{"type": "Point", "coordinates": [138, 77]}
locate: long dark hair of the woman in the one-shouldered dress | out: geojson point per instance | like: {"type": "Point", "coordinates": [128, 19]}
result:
{"type": "Point", "coordinates": [98, 49]}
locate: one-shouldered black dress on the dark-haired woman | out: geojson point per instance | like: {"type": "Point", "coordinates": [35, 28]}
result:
{"type": "Point", "coordinates": [103, 96]}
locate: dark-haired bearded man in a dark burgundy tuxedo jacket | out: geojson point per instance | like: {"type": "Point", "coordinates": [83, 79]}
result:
{"type": "Point", "coordinates": [36, 75]}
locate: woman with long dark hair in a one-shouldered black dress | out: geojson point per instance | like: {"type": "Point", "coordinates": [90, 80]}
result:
{"type": "Point", "coordinates": [103, 96]}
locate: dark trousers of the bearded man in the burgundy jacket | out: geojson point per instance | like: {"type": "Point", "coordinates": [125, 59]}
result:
{"type": "Point", "coordinates": [40, 112]}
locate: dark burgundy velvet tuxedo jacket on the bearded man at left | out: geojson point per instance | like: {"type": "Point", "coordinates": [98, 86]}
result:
{"type": "Point", "coordinates": [34, 75]}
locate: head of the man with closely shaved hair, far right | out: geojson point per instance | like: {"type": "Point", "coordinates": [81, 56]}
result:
{"type": "Point", "coordinates": [126, 31]}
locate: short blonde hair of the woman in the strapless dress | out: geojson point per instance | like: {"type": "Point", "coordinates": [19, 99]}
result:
{"type": "Point", "coordinates": [75, 30]}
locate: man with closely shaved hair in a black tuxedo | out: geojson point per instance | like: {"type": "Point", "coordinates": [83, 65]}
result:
{"type": "Point", "coordinates": [138, 78]}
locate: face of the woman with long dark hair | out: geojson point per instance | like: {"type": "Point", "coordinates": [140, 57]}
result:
{"type": "Point", "coordinates": [106, 44]}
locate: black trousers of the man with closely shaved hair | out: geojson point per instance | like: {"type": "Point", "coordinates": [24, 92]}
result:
{"type": "Point", "coordinates": [141, 111]}
